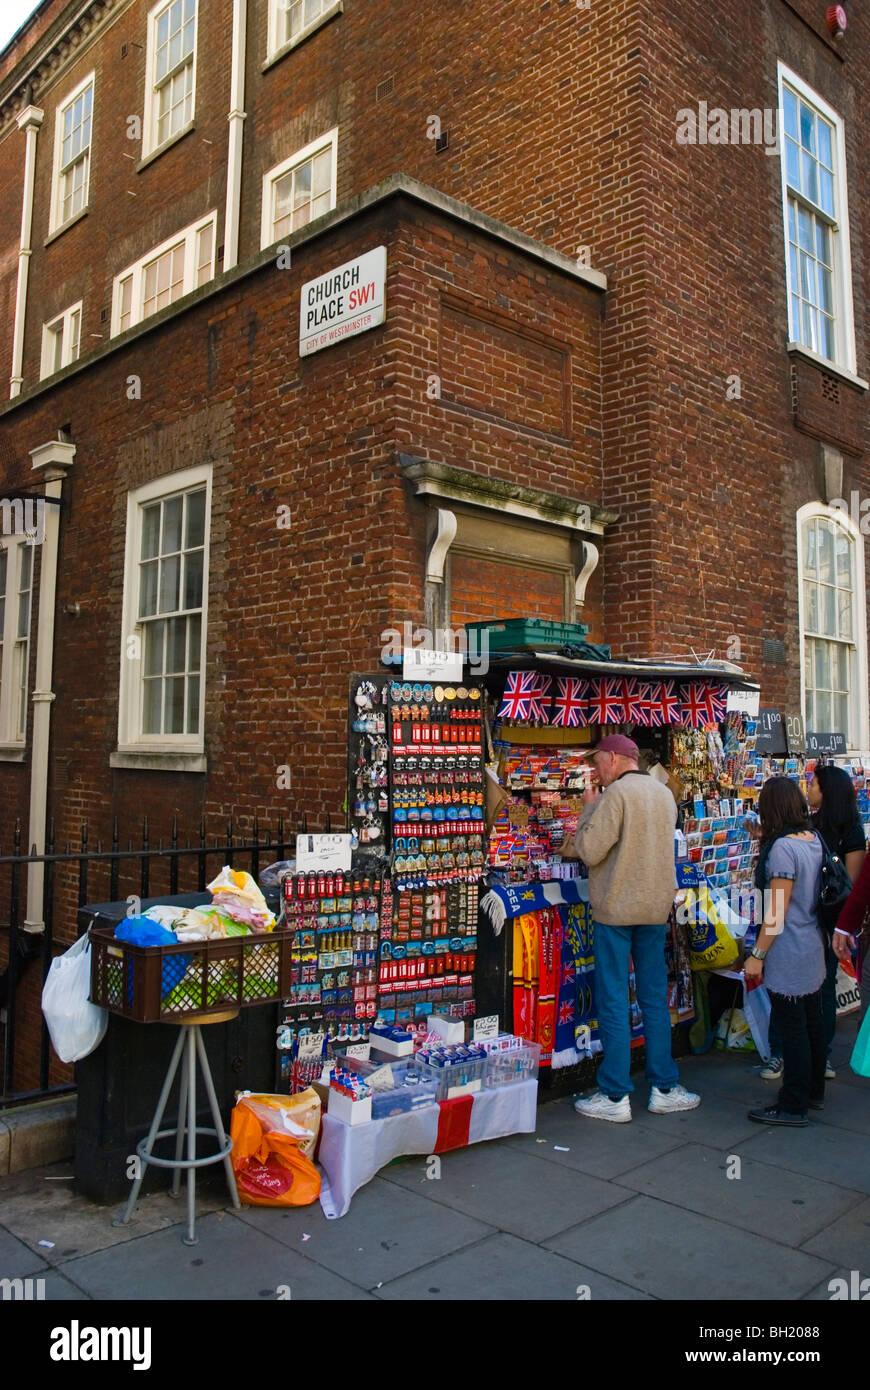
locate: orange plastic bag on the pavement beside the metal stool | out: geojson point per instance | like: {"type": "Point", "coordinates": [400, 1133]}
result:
{"type": "Point", "coordinates": [270, 1138]}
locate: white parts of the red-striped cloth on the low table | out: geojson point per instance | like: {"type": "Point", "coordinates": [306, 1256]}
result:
{"type": "Point", "coordinates": [352, 1154]}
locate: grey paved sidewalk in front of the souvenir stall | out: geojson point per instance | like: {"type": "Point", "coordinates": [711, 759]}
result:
{"type": "Point", "coordinates": [579, 1210]}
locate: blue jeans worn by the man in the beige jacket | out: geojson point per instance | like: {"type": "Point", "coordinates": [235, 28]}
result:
{"type": "Point", "coordinates": [614, 947]}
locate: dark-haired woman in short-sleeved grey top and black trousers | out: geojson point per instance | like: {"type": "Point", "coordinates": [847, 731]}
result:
{"type": "Point", "coordinates": [790, 950]}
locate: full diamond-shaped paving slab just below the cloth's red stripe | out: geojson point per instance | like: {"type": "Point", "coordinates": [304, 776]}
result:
{"type": "Point", "coordinates": [508, 1189]}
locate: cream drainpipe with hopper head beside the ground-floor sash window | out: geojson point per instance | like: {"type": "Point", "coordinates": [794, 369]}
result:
{"type": "Point", "coordinates": [52, 461]}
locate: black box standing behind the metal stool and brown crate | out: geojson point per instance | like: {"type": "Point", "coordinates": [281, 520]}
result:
{"type": "Point", "coordinates": [119, 1085]}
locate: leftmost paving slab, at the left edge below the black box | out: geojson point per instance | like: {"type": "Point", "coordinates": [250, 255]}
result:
{"type": "Point", "coordinates": [47, 1207]}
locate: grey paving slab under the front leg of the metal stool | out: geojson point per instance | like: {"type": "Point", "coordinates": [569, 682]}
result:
{"type": "Point", "coordinates": [231, 1263]}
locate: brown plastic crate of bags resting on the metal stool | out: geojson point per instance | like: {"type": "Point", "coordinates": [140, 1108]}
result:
{"type": "Point", "coordinates": [161, 985]}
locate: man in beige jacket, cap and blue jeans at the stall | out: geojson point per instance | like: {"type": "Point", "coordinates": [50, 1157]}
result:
{"type": "Point", "coordinates": [626, 836]}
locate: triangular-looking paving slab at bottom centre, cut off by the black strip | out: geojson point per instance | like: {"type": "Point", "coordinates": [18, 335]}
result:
{"type": "Point", "coordinates": [504, 1268]}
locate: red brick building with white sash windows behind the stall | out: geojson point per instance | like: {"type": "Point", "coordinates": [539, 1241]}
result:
{"type": "Point", "coordinates": [621, 373]}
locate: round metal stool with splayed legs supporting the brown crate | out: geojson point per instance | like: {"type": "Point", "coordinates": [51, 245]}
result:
{"type": "Point", "coordinates": [190, 1040]}
